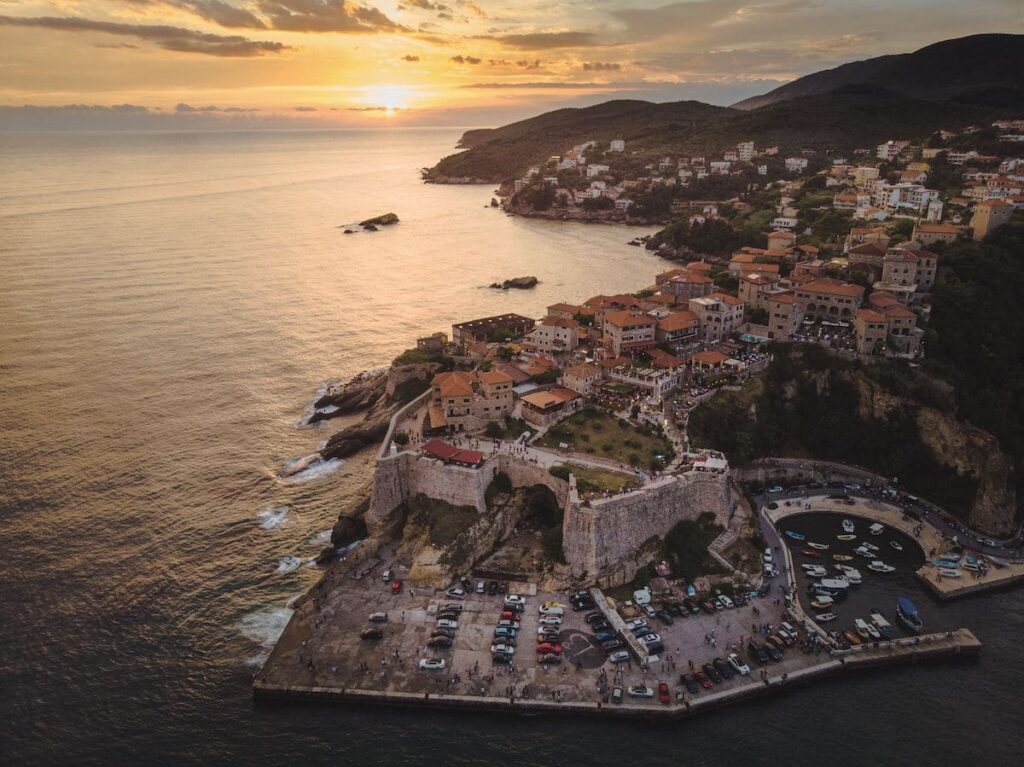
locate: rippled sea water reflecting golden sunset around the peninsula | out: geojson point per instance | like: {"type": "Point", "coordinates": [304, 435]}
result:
{"type": "Point", "coordinates": [169, 306]}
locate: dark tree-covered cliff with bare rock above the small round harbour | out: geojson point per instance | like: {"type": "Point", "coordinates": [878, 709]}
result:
{"type": "Point", "coordinates": [885, 417]}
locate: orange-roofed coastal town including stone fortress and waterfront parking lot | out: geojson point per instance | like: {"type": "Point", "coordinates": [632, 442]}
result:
{"type": "Point", "coordinates": [543, 482]}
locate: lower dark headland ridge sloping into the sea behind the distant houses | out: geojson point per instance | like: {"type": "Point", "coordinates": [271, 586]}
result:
{"type": "Point", "coordinates": [850, 118]}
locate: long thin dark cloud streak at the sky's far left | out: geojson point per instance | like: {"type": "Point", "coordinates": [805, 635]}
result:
{"type": "Point", "coordinates": [168, 38]}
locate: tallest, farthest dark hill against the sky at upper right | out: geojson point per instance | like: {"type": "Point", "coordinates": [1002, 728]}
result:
{"type": "Point", "coordinates": [980, 69]}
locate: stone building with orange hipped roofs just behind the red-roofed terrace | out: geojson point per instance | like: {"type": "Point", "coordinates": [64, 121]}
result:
{"type": "Point", "coordinates": [467, 402]}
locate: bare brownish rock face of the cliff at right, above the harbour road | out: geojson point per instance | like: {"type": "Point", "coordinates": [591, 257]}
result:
{"type": "Point", "coordinates": [962, 447]}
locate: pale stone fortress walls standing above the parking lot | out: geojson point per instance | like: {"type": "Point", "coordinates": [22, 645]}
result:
{"type": "Point", "coordinates": [604, 540]}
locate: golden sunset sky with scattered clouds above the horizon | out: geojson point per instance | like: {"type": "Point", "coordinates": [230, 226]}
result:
{"type": "Point", "coordinates": [432, 63]}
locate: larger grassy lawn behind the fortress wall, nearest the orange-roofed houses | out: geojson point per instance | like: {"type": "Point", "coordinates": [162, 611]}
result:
{"type": "Point", "coordinates": [601, 435]}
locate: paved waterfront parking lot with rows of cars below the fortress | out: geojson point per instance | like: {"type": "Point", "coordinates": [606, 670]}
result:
{"type": "Point", "coordinates": [324, 648]}
